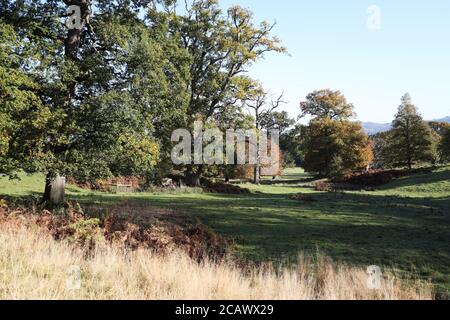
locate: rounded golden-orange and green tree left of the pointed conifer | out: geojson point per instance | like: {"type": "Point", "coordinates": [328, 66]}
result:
{"type": "Point", "coordinates": [331, 143]}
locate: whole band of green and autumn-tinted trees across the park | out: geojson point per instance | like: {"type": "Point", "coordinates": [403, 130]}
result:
{"type": "Point", "coordinates": [102, 100]}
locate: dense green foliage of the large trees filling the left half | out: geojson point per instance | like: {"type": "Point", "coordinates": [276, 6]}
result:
{"type": "Point", "coordinates": [104, 100]}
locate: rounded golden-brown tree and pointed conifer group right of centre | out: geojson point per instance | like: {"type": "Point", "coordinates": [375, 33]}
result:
{"type": "Point", "coordinates": [333, 145]}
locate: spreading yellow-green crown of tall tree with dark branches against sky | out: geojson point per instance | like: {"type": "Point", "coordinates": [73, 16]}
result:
{"type": "Point", "coordinates": [221, 47]}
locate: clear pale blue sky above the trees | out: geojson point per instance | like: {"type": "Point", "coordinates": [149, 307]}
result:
{"type": "Point", "coordinates": [332, 46]}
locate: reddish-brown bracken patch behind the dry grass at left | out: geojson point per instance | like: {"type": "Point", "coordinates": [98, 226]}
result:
{"type": "Point", "coordinates": [134, 227]}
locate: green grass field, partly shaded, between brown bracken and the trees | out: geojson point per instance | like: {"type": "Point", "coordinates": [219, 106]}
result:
{"type": "Point", "coordinates": [405, 224]}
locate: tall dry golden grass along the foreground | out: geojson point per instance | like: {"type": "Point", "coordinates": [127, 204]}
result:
{"type": "Point", "coordinates": [35, 266]}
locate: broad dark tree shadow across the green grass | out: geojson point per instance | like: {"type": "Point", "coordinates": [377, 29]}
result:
{"type": "Point", "coordinates": [273, 226]}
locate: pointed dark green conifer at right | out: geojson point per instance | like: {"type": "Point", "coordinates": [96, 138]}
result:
{"type": "Point", "coordinates": [410, 140]}
